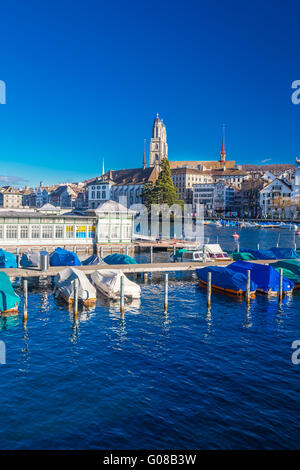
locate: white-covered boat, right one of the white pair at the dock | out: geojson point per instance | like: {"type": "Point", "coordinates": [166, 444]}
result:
{"type": "Point", "coordinates": [108, 282]}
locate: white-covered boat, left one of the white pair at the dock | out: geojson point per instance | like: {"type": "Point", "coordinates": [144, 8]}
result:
{"type": "Point", "coordinates": [64, 283]}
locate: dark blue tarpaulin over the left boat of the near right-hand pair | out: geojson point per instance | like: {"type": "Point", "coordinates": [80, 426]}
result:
{"type": "Point", "coordinates": [225, 278]}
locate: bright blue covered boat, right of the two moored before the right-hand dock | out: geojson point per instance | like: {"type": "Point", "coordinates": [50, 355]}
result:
{"type": "Point", "coordinates": [265, 277]}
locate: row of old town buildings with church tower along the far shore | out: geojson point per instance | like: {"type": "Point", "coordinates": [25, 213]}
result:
{"type": "Point", "coordinates": [222, 186]}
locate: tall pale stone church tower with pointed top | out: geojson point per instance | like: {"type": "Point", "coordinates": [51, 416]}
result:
{"type": "Point", "coordinates": [158, 143]}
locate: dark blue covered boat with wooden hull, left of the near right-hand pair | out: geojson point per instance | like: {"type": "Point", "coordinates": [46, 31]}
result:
{"type": "Point", "coordinates": [225, 280]}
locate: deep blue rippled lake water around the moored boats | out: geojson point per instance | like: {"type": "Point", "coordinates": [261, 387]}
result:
{"type": "Point", "coordinates": [185, 379]}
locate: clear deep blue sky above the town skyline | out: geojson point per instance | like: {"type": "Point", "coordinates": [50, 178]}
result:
{"type": "Point", "coordinates": [85, 80]}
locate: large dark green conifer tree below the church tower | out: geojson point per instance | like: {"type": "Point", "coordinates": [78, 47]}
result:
{"type": "Point", "coordinates": [163, 191]}
